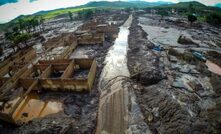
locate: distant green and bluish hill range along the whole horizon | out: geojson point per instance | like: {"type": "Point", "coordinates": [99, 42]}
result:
{"type": "Point", "coordinates": [115, 5]}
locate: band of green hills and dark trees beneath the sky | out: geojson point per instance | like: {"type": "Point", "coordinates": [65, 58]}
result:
{"type": "Point", "coordinates": [182, 8]}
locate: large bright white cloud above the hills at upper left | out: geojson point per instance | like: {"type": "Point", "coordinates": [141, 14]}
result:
{"type": "Point", "coordinates": [24, 7]}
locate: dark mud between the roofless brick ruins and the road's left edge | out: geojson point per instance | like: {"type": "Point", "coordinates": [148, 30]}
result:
{"type": "Point", "coordinates": [80, 109]}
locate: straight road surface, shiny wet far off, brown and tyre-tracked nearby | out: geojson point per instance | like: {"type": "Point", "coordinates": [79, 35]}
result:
{"type": "Point", "coordinates": [113, 111]}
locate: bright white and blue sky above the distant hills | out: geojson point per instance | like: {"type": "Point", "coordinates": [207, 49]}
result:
{"type": "Point", "coordinates": [10, 9]}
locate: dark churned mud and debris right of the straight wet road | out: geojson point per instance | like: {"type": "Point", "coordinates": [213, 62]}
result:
{"type": "Point", "coordinates": [166, 107]}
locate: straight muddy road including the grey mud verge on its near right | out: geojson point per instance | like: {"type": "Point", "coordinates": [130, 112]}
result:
{"type": "Point", "coordinates": [118, 111]}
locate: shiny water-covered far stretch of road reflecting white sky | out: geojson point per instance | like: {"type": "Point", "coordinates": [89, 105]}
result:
{"type": "Point", "coordinates": [116, 60]}
